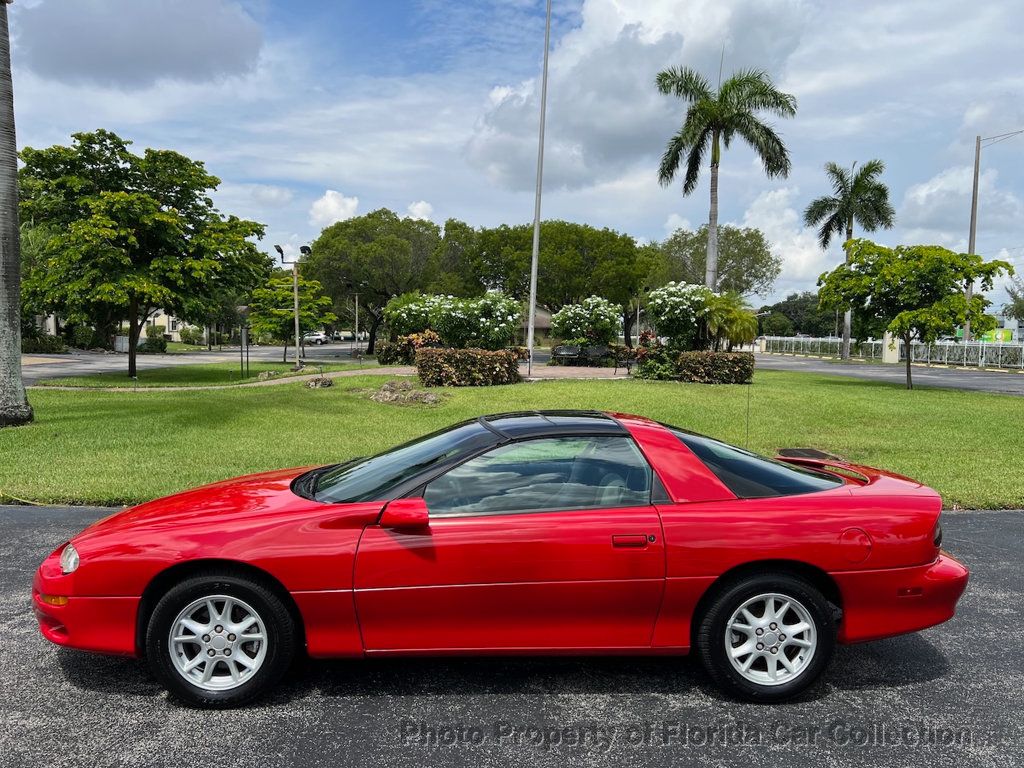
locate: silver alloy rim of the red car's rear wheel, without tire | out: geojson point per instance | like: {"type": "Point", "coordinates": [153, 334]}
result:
{"type": "Point", "coordinates": [771, 639]}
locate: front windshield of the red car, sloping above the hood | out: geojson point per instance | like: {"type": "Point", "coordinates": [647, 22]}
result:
{"type": "Point", "coordinates": [371, 480]}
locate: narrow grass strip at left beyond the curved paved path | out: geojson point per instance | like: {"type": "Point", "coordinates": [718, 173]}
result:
{"type": "Point", "coordinates": [199, 375]}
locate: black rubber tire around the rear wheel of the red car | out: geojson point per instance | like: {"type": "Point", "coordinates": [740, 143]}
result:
{"type": "Point", "coordinates": [712, 637]}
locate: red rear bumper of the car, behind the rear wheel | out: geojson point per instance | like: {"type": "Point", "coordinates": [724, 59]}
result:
{"type": "Point", "coordinates": [894, 602]}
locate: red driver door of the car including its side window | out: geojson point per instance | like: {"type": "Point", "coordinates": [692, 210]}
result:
{"type": "Point", "coordinates": [541, 545]}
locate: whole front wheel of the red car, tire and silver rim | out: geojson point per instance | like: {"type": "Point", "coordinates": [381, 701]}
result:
{"type": "Point", "coordinates": [220, 642]}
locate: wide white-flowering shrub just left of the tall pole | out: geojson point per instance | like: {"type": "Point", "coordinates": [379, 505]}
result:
{"type": "Point", "coordinates": [490, 322]}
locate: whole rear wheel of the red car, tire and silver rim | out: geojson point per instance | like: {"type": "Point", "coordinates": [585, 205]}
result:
{"type": "Point", "coordinates": [767, 638]}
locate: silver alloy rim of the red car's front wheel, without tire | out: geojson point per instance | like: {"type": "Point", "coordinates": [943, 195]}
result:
{"type": "Point", "coordinates": [218, 643]}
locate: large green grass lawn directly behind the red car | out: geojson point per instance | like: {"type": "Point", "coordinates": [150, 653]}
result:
{"type": "Point", "coordinates": [107, 448]}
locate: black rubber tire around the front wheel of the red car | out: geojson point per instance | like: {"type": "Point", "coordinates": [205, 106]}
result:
{"type": "Point", "coordinates": [279, 628]}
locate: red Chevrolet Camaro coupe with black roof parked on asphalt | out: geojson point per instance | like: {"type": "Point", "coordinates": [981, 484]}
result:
{"type": "Point", "coordinates": [531, 533]}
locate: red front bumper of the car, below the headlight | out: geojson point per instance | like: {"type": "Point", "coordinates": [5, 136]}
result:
{"type": "Point", "coordinates": [106, 625]}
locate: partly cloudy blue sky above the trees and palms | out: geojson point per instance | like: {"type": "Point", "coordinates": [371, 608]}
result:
{"type": "Point", "coordinates": [316, 111]}
